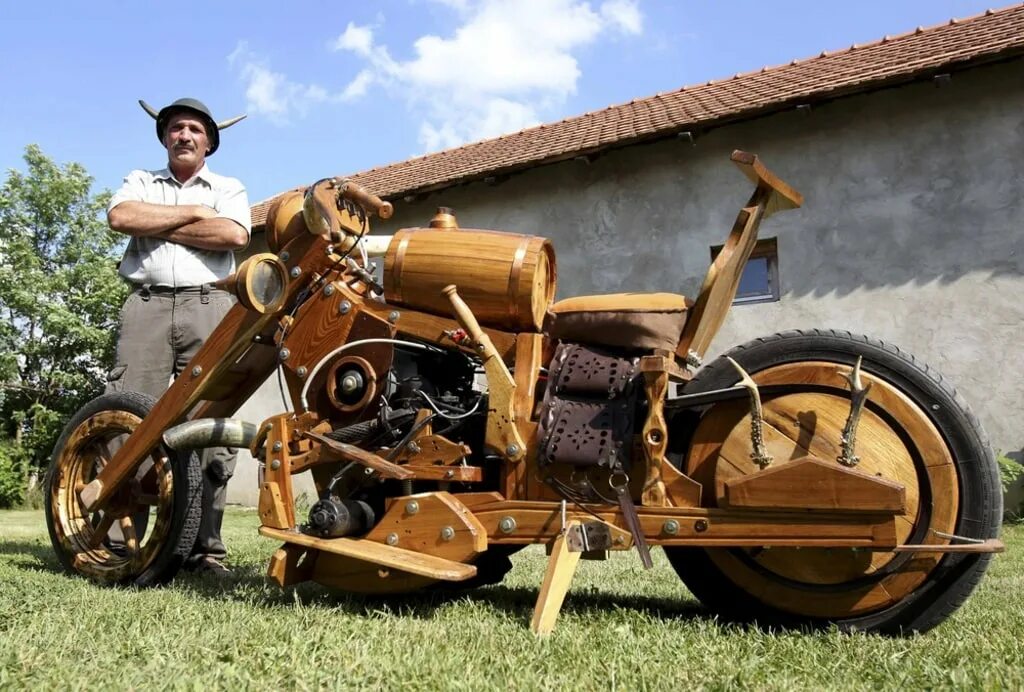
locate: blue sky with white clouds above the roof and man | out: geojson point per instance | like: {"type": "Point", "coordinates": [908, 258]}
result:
{"type": "Point", "coordinates": [340, 88]}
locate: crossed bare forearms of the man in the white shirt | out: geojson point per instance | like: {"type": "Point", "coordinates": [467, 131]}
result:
{"type": "Point", "coordinates": [194, 226]}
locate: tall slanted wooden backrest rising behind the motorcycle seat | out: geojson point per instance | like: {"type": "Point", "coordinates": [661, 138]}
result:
{"type": "Point", "coordinates": [722, 281]}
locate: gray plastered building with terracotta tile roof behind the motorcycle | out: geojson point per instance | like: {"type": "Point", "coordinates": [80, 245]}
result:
{"type": "Point", "coordinates": [909, 152]}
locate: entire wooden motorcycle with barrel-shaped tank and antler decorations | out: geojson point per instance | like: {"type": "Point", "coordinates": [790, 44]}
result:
{"type": "Point", "coordinates": [451, 414]}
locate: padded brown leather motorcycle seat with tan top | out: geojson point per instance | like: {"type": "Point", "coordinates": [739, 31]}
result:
{"type": "Point", "coordinates": [632, 321]}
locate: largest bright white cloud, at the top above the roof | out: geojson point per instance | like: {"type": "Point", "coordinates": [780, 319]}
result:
{"type": "Point", "coordinates": [506, 67]}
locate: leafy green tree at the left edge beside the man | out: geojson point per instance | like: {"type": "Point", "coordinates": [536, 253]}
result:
{"type": "Point", "coordinates": [60, 299]}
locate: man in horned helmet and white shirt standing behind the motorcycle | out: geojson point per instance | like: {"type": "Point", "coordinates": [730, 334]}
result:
{"type": "Point", "coordinates": [185, 223]}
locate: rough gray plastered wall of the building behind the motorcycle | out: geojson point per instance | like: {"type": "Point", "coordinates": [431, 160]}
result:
{"type": "Point", "coordinates": [911, 230]}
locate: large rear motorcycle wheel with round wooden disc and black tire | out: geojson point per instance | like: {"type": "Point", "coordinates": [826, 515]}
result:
{"type": "Point", "coordinates": [915, 430]}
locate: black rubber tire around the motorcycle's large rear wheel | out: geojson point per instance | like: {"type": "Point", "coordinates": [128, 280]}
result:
{"type": "Point", "coordinates": [951, 579]}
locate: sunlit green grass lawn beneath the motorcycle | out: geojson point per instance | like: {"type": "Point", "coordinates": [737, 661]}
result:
{"type": "Point", "coordinates": [621, 628]}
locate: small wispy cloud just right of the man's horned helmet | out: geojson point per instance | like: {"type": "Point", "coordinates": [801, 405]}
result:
{"type": "Point", "coordinates": [272, 94]}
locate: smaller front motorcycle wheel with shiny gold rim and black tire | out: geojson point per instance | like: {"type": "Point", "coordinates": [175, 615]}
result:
{"type": "Point", "coordinates": [158, 513]}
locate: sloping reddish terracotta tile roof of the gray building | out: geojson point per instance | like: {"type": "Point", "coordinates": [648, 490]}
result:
{"type": "Point", "coordinates": [992, 36]}
